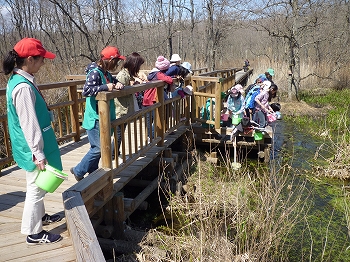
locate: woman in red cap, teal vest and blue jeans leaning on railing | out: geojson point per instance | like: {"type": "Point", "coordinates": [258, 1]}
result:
{"type": "Point", "coordinates": [98, 78]}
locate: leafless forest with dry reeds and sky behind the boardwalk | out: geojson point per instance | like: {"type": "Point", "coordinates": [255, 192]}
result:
{"type": "Point", "coordinates": [304, 41]}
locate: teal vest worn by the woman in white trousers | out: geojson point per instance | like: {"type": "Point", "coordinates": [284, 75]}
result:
{"type": "Point", "coordinates": [20, 149]}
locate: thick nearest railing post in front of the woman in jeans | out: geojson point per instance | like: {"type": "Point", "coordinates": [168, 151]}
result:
{"type": "Point", "coordinates": [105, 133]}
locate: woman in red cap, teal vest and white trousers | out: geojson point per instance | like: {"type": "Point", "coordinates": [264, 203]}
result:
{"type": "Point", "coordinates": [32, 137]}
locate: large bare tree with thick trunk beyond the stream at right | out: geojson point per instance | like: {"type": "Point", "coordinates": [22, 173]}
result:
{"type": "Point", "coordinates": [298, 24]}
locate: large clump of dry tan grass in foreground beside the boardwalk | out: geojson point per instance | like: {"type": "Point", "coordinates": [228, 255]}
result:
{"type": "Point", "coordinates": [228, 216]}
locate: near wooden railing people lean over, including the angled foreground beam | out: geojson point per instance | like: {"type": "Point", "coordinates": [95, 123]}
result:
{"type": "Point", "coordinates": [97, 191]}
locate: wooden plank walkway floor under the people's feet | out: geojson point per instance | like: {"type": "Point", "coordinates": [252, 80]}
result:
{"type": "Point", "coordinates": [12, 195]}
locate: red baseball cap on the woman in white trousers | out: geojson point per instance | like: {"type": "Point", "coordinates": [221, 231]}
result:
{"type": "Point", "coordinates": [32, 47]}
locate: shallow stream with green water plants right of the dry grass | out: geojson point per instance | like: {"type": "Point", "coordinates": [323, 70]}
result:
{"type": "Point", "coordinates": [323, 234]}
